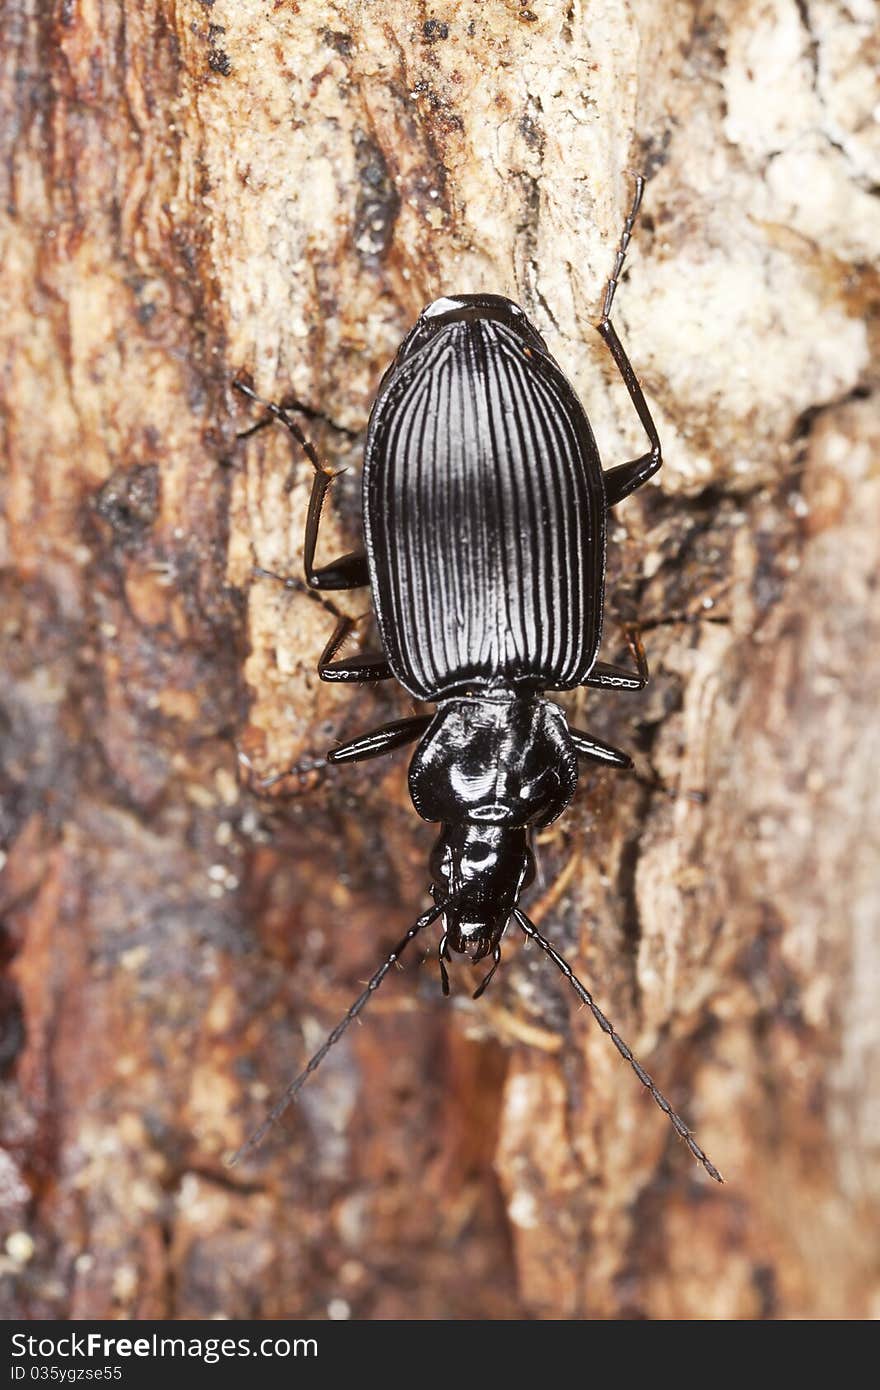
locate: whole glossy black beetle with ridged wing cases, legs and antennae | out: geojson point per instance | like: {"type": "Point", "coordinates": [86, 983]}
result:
{"type": "Point", "coordinates": [486, 511]}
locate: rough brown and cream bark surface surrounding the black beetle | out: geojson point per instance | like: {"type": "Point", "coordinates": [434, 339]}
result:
{"type": "Point", "coordinates": [197, 190]}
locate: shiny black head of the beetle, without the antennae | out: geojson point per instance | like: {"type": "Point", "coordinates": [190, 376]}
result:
{"type": "Point", "coordinates": [489, 867]}
